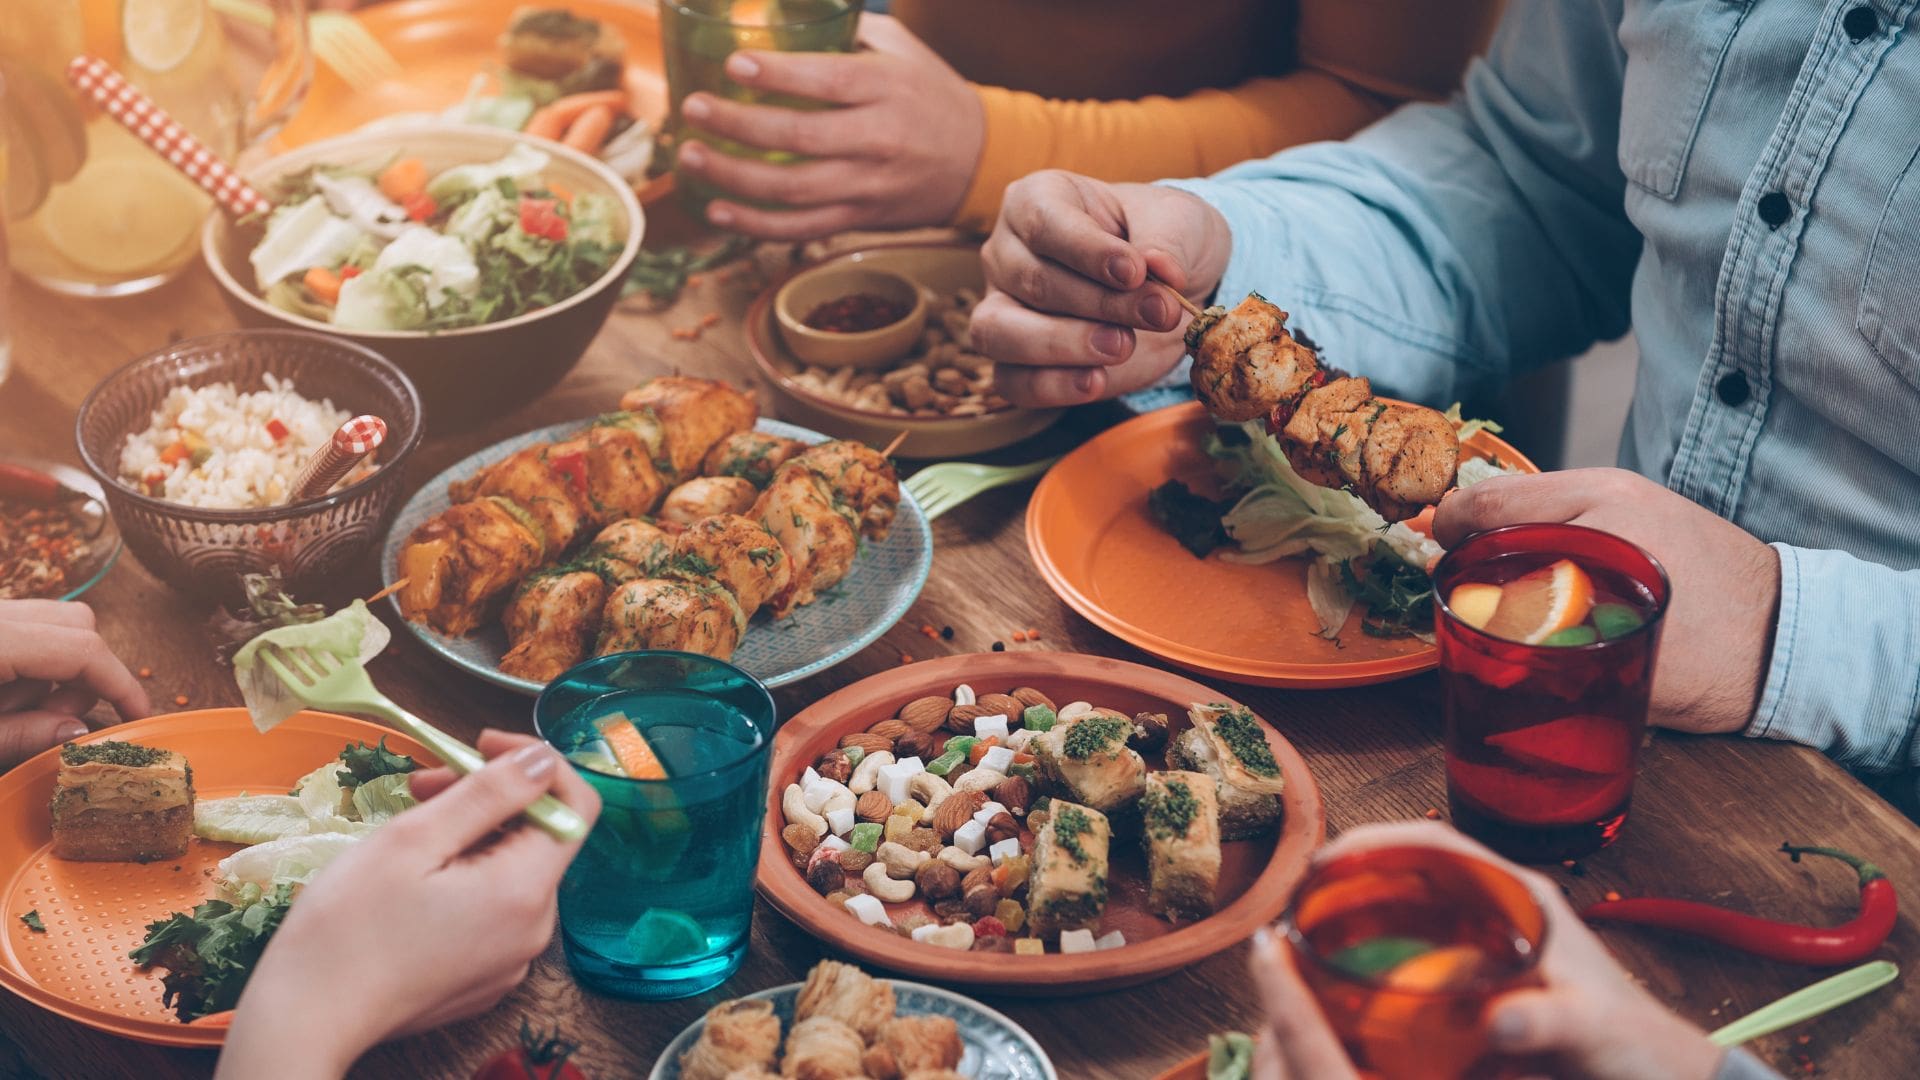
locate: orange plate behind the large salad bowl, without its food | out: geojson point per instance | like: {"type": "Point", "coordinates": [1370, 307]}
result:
{"type": "Point", "coordinates": [441, 47]}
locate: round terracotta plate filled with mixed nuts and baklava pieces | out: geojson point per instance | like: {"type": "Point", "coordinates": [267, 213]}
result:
{"type": "Point", "coordinates": [1034, 823]}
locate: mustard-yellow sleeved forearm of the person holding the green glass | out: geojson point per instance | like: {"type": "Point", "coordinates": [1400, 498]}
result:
{"type": "Point", "coordinates": [1157, 137]}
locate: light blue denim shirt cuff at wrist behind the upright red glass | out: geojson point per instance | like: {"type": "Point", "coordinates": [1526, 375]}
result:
{"type": "Point", "coordinates": [1842, 675]}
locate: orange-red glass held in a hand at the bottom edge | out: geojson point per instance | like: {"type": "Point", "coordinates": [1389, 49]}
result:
{"type": "Point", "coordinates": [1404, 948]}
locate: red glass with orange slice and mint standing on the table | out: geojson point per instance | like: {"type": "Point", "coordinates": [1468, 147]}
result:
{"type": "Point", "coordinates": [1541, 739]}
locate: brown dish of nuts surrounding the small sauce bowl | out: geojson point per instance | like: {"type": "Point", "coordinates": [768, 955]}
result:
{"type": "Point", "coordinates": [940, 391]}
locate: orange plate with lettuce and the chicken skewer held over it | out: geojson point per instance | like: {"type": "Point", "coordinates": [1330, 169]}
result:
{"type": "Point", "coordinates": [1276, 529]}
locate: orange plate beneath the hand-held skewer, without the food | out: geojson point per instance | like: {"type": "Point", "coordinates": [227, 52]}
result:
{"type": "Point", "coordinates": [1099, 549]}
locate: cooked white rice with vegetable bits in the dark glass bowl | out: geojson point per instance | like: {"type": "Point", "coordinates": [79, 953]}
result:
{"type": "Point", "coordinates": [243, 464]}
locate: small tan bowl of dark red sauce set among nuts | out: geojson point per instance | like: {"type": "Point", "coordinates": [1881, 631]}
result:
{"type": "Point", "coordinates": [850, 316]}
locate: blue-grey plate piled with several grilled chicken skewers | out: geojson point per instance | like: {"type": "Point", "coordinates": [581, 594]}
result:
{"type": "Point", "coordinates": [679, 522]}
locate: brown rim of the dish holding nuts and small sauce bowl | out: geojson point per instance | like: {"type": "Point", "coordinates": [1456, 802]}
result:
{"type": "Point", "coordinates": [942, 268]}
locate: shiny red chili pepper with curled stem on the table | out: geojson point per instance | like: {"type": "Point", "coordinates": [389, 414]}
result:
{"type": "Point", "coordinates": [1813, 946]}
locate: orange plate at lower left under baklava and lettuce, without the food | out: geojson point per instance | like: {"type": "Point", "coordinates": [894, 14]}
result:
{"type": "Point", "coordinates": [97, 914]}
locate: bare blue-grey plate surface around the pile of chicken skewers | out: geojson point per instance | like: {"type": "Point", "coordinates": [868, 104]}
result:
{"type": "Point", "coordinates": [884, 583]}
